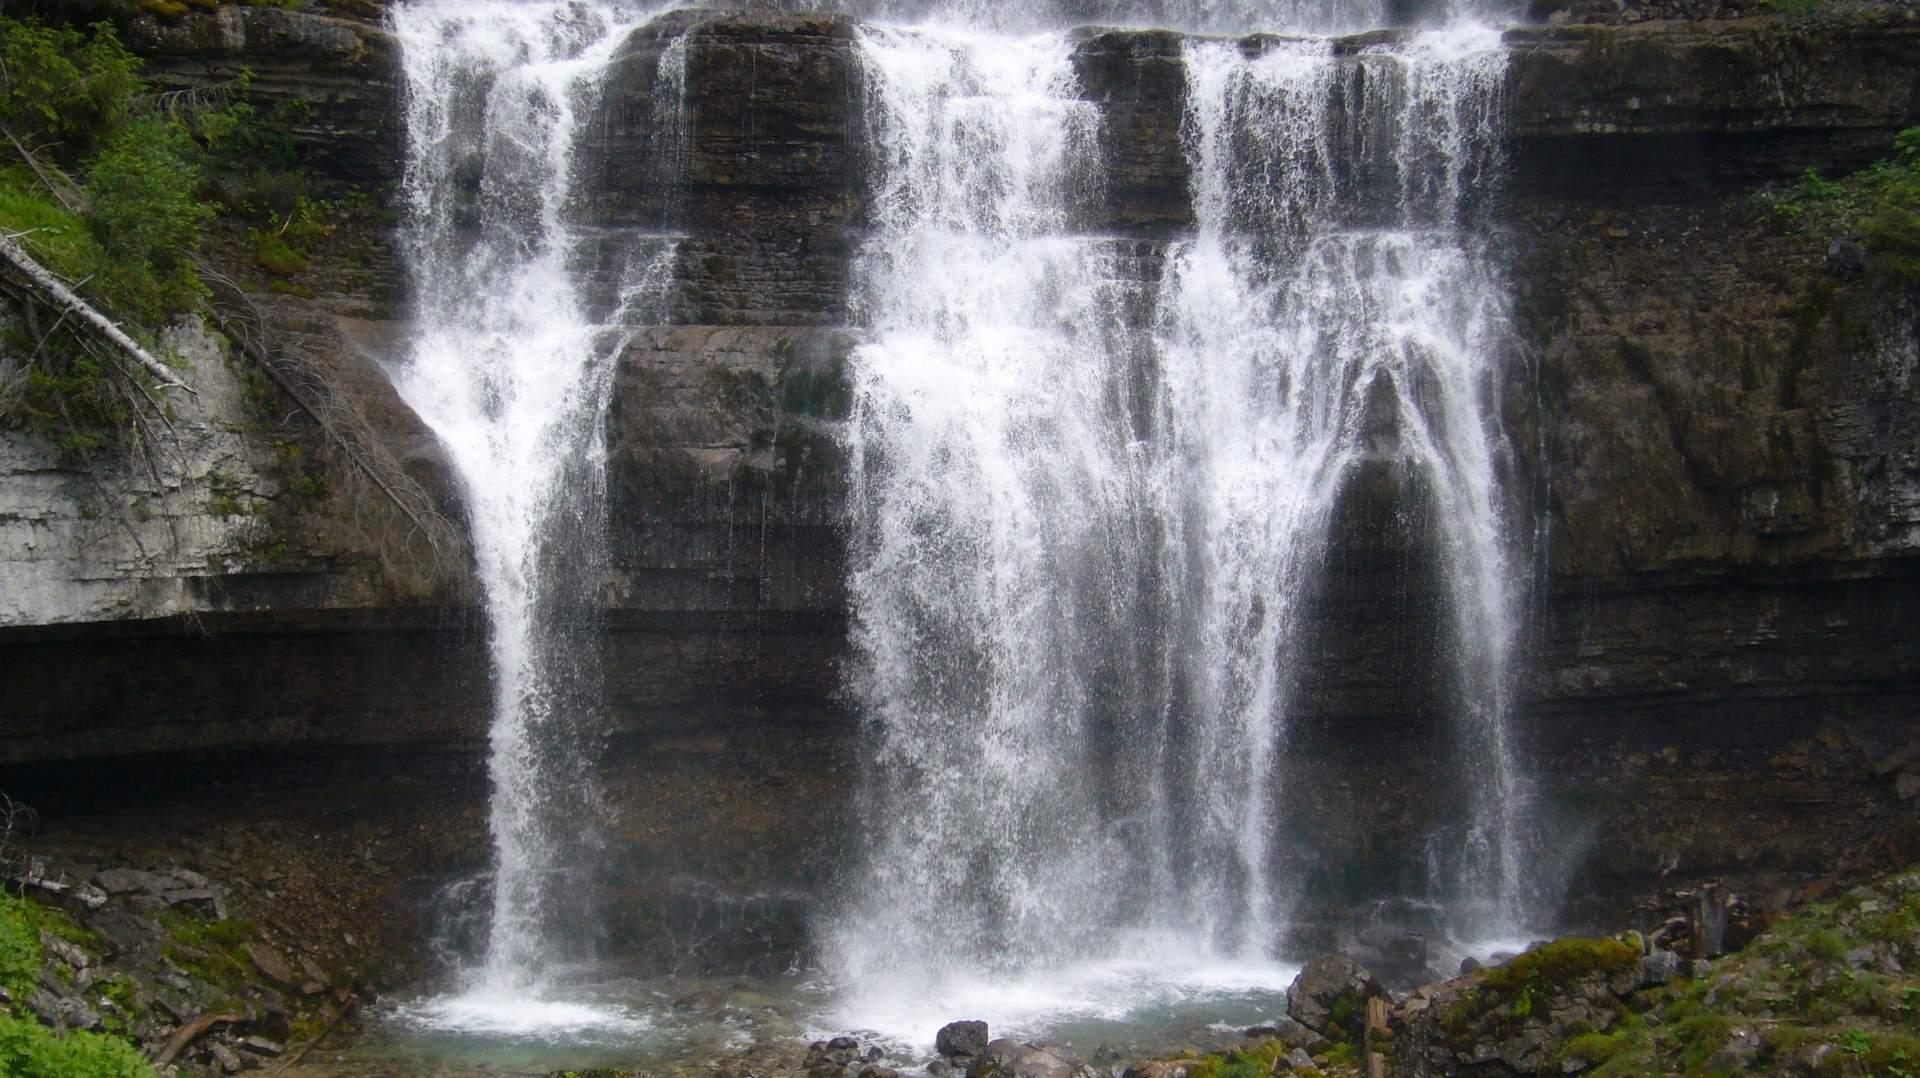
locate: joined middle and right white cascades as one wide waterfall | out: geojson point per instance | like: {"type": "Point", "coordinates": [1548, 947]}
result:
{"type": "Point", "coordinates": [1090, 512]}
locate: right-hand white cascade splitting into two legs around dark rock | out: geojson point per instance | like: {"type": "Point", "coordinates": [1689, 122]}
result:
{"type": "Point", "coordinates": [1332, 278]}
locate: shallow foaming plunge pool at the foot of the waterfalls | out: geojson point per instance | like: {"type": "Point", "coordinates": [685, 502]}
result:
{"type": "Point", "coordinates": [596, 1017]}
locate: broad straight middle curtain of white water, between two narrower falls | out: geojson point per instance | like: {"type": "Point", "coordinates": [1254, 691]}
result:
{"type": "Point", "coordinates": [992, 527]}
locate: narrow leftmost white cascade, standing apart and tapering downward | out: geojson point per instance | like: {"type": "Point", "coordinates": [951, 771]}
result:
{"type": "Point", "coordinates": [514, 378]}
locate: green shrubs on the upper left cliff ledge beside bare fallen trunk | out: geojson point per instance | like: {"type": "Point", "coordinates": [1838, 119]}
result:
{"type": "Point", "coordinates": [112, 189]}
